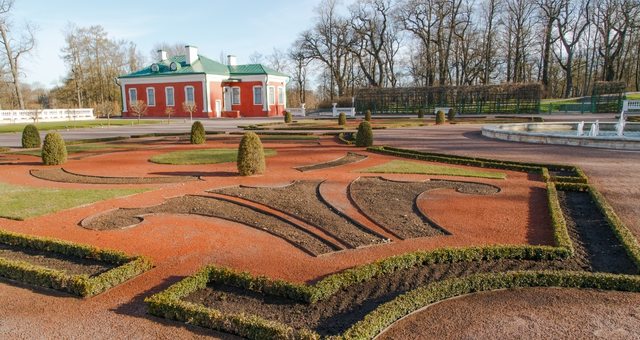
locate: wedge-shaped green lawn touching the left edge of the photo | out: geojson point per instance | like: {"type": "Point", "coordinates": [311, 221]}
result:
{"type": "Point", "coordinates": [20, 202]}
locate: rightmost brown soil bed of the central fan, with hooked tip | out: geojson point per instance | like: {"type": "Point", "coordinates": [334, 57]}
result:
{"type": "Point", "coordinates": [393, 205]}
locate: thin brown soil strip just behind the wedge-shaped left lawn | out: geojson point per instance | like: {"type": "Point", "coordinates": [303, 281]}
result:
{"type": "Point", "coordinates": [64, 176]}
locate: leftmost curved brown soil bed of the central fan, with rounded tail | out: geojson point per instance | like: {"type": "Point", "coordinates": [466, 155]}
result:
{"type": "Point", "coordinates": [214, 207]}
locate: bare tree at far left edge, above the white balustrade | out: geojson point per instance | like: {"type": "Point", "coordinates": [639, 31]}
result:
{"type": "Point", "coordinates": [14, 48]}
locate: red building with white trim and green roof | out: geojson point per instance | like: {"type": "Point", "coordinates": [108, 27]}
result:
{"type": "Point", "coordinates": [217, 90]}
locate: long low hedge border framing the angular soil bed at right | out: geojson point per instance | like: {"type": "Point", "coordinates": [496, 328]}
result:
{"type": "Point", "coordinates": [168, 303]}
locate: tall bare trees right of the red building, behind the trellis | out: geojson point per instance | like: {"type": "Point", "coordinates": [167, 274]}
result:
{"type": "Point", "coordinates": [566, 45]}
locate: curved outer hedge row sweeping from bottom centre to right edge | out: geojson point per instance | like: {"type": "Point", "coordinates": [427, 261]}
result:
{"type": "Point", "coordinates": [386, 314]}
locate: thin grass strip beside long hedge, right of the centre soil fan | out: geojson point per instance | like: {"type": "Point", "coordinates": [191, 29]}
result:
{"type": "Point", "coordinates": [405, 167]}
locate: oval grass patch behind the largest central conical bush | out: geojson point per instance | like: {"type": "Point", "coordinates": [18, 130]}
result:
{"type": "Point", "coordinates": [202, 156]}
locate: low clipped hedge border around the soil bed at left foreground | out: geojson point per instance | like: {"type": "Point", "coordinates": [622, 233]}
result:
{"type": "Point", "coordinates": [82, 285]}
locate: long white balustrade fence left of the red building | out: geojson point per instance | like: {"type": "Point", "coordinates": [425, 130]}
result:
{"type": "Point", "coordinates": [52, 115]}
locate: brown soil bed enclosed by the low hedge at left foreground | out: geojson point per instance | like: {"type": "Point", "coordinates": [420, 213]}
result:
{"type": "Point", "coordinates": [68, 264]}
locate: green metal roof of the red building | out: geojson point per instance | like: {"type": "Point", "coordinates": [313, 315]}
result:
{"type": "Point", "coordinates": [200, 66]}
